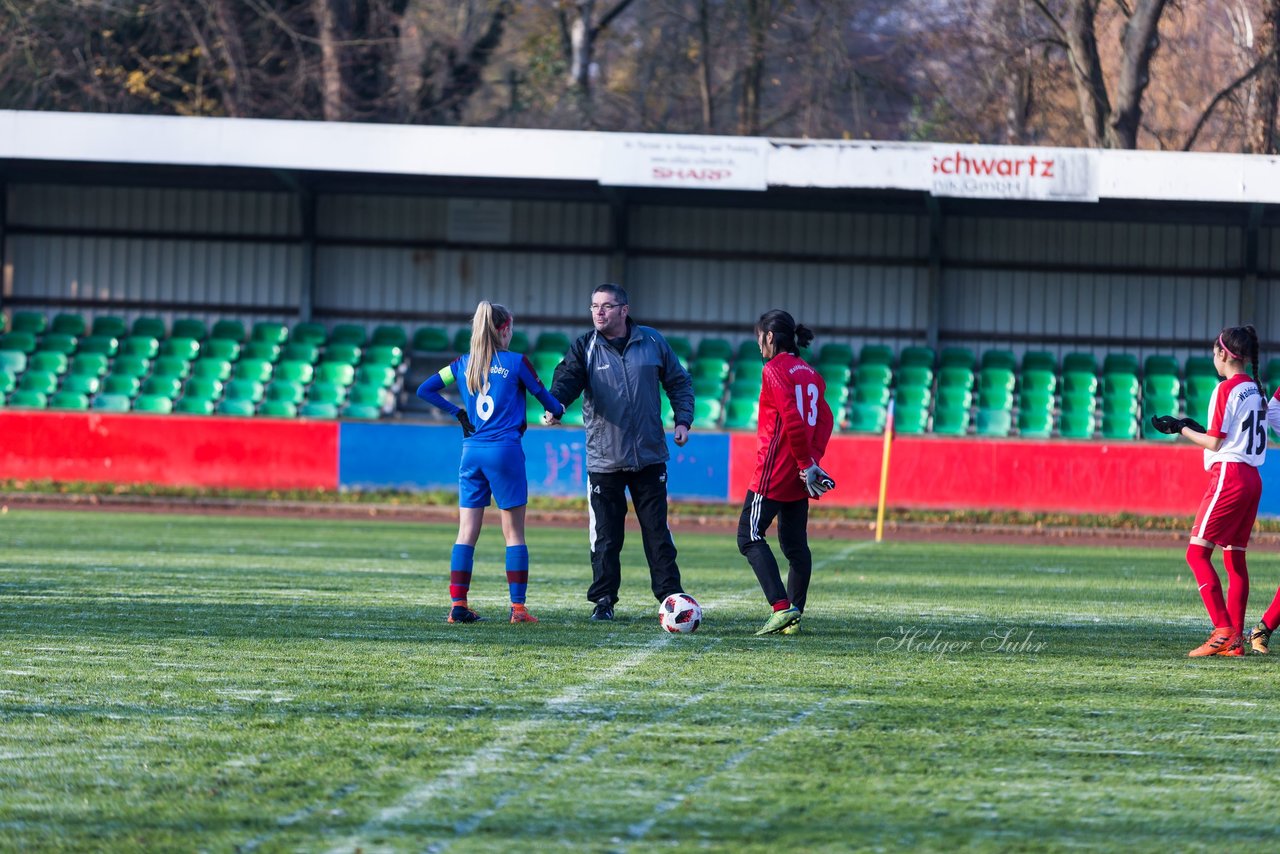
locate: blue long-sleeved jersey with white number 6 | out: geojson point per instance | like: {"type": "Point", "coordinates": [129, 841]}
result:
{"type": "Point", "coordinates": [499, 409]}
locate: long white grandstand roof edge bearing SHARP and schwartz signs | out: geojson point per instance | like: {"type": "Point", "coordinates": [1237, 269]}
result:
{"type": "Point", "coordinates": [1035, 173]}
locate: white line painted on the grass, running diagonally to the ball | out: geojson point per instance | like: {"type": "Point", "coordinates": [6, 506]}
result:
{"type": "Point", "coordinates": [508, 739]}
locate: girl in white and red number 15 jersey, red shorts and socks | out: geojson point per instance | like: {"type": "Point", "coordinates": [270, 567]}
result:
{"type": "Point", "coordinates": [1235, 445]}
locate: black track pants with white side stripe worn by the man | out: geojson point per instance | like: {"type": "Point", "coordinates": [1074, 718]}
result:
{"type": "Point", "coordinates": [609, 514]}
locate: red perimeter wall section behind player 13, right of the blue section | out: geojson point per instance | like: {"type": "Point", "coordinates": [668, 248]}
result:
{"type": "Point", "coordinates": [1008, 474]}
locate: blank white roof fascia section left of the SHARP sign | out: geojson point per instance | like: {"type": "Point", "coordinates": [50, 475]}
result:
{"type": "Point", "coordinates": [323, 147]}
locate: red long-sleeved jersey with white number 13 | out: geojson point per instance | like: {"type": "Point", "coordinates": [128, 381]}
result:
{"type": "Point", "coordinates": [794, 427]}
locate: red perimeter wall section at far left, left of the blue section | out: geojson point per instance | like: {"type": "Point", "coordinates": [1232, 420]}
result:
{"type": "Point", "coordinates": [171, 450]}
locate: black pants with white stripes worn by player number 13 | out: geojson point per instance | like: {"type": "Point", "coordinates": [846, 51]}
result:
{"type": "Point", "coordinates": [758, 514]}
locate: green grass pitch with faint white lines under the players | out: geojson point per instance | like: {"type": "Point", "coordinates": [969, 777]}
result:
{"type": "Point", "coordinates": [173, 683]}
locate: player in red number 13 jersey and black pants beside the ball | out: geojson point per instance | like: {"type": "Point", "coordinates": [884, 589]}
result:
{"type": "Point", "coordinates": [796, 424]}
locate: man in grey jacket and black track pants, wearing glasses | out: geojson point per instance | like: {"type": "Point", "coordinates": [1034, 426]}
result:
{"type": "Point", "coordinates": [618, 368]}
